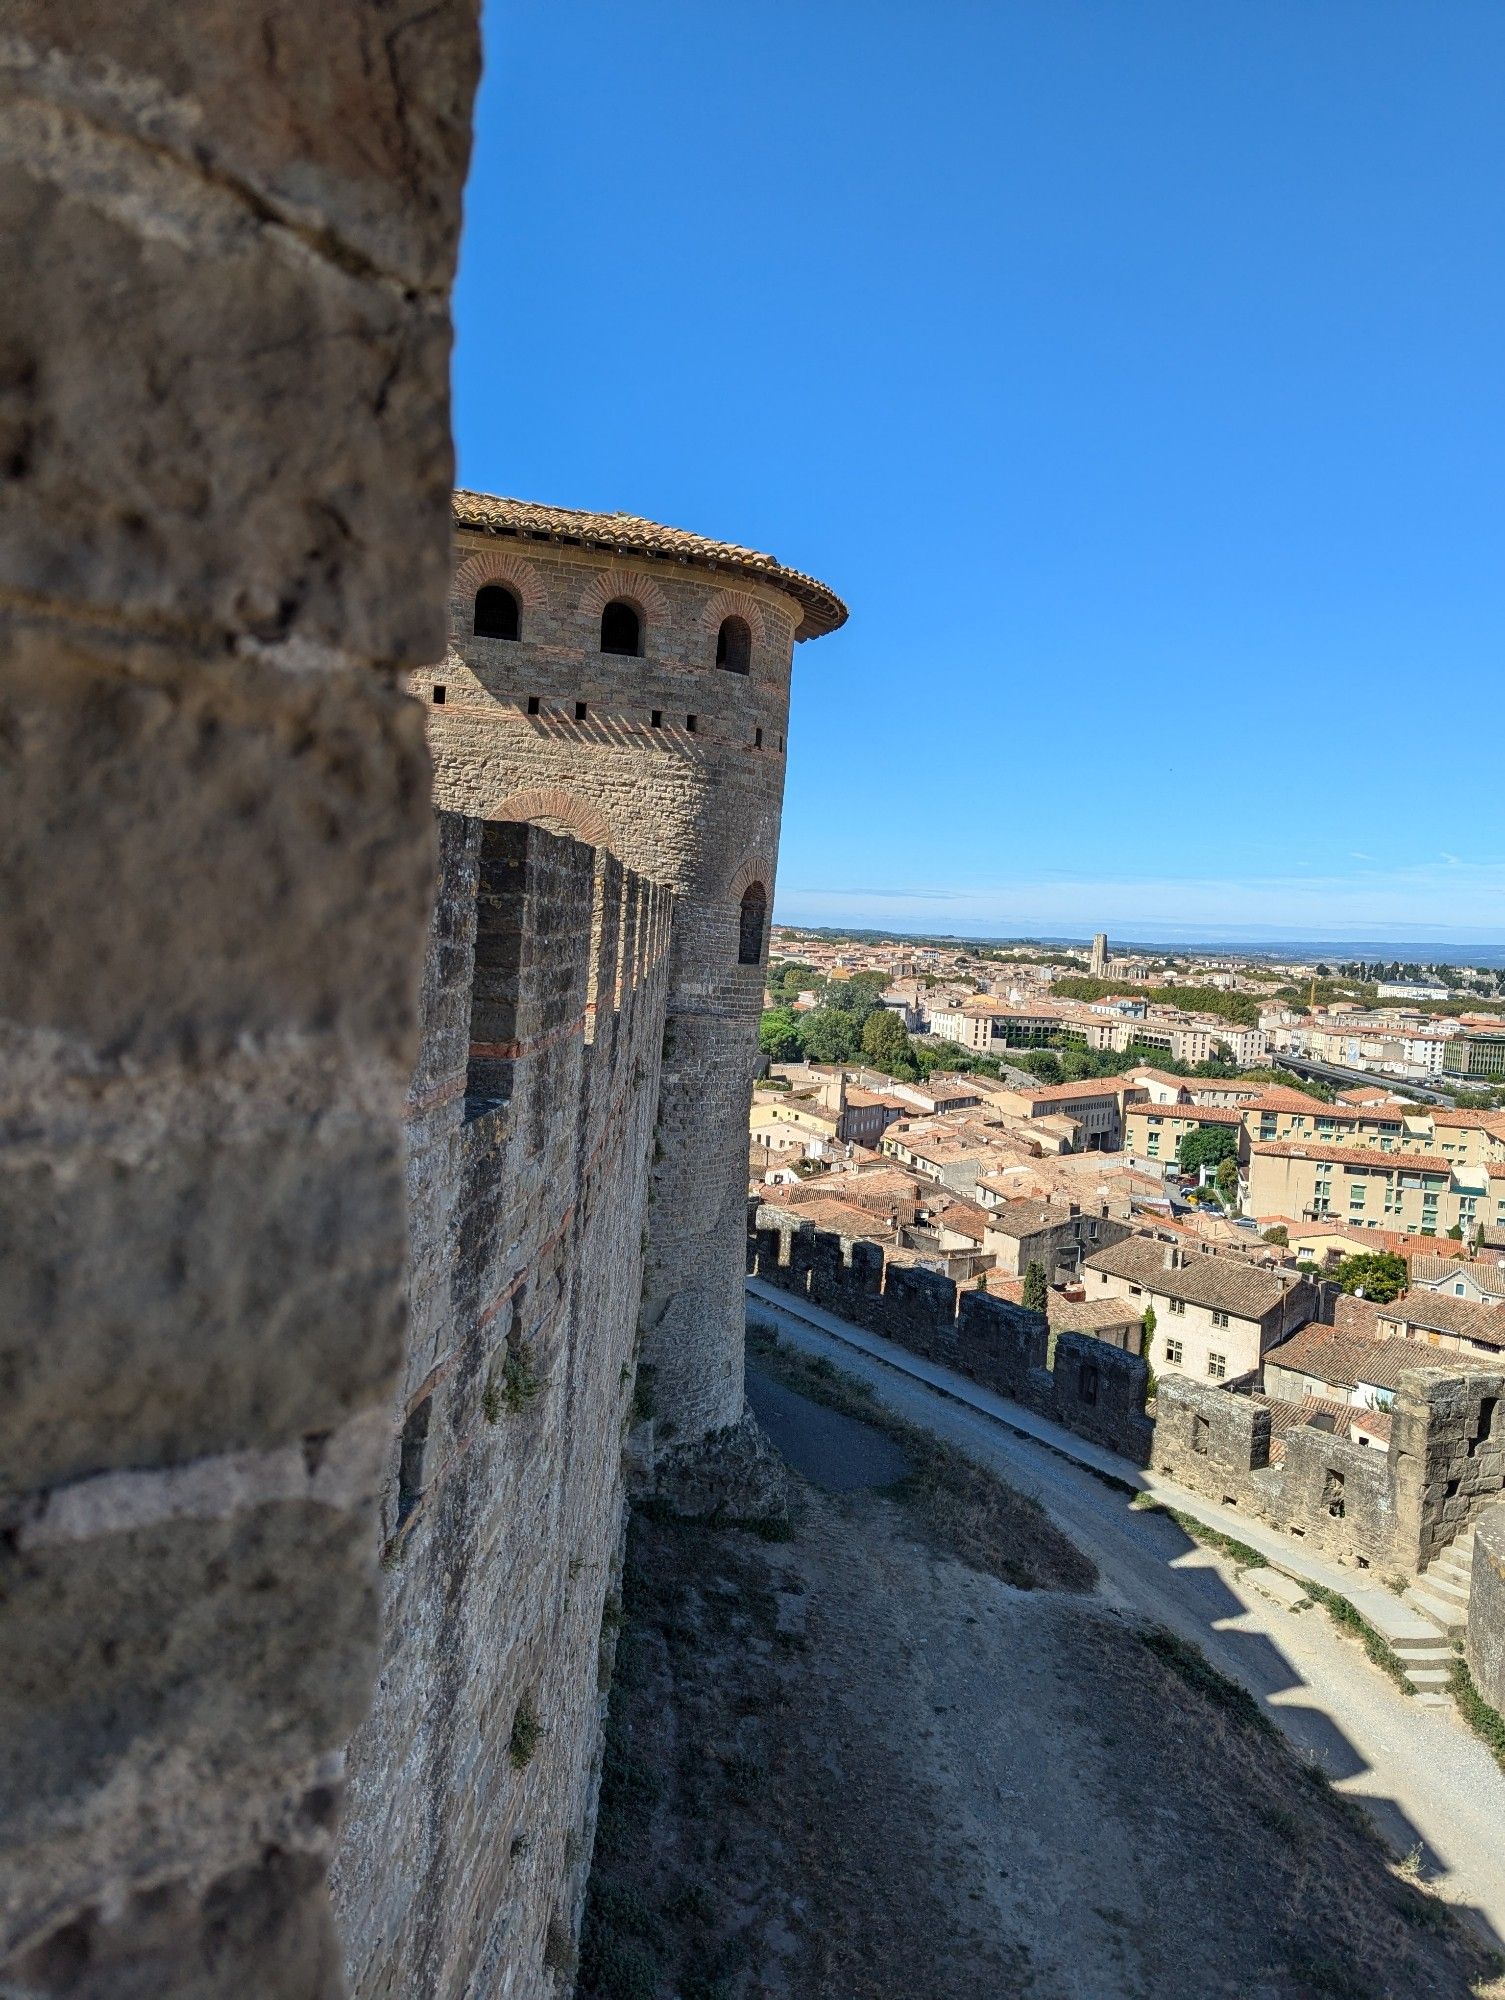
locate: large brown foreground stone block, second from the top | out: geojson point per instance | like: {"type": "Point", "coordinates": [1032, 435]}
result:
{"type": "Point", "coordinates": [285, 431]}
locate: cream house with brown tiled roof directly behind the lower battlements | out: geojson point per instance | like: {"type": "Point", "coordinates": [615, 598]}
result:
{"type": "Point", "coordinates": [1216, 1317]}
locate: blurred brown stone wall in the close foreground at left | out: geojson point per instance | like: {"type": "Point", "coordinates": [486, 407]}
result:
{"type": "Point", "coordinates": [223, 535]}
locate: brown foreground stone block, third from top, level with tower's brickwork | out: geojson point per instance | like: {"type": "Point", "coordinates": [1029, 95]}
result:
{"type": "Point", "coordinates": [207, 851]}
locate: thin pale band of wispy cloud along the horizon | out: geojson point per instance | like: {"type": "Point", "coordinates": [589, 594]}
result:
{"type": "Point", "coordinates": [1448, 899]}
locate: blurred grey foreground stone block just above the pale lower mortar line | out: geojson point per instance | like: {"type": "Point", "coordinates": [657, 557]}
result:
{"type": "Point", "coordinates": [183, 1293]}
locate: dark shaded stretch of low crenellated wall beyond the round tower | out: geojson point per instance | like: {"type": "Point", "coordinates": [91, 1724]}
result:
{"type": "Point", "coordinates": [1092, 1389]}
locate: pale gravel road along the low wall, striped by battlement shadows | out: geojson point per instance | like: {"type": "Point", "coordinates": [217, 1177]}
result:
{"type": "Point", "coordinates": [1424, 1777]}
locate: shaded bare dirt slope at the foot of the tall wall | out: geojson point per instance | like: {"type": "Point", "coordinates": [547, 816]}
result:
{"type": "Point", "coordinates": [850, 1767]}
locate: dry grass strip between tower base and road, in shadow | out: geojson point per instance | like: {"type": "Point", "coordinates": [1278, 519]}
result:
{"type": "Point", "coordinates": [968, 1511]}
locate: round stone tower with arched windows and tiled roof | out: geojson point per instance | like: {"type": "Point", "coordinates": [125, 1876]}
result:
{"type": "Point", "coordinates": [629, 685]}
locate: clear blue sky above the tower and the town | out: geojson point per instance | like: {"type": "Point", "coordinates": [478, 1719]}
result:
{"type": "Point", "coordinates": [1136, 369]}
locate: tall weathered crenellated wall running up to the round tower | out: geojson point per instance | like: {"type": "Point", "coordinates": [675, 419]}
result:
{"type": "Point", "coordinates": [529, 1137]}
